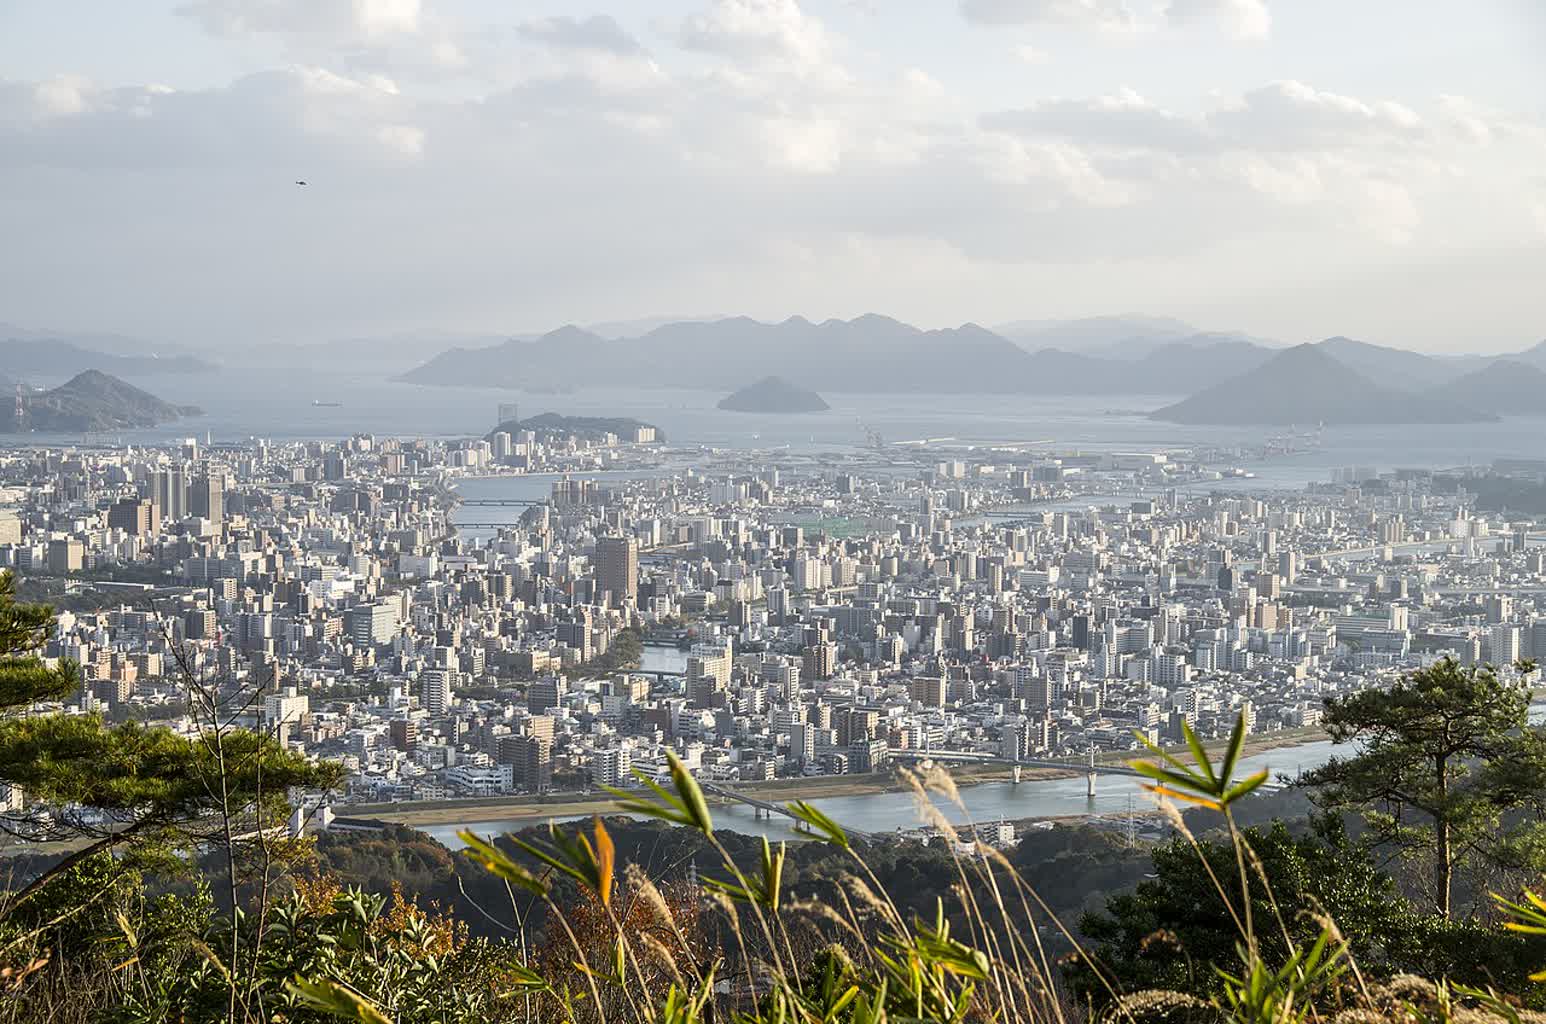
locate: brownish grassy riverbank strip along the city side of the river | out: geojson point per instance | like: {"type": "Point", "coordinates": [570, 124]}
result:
{"type": "Point", "coordinates": [444, 813]}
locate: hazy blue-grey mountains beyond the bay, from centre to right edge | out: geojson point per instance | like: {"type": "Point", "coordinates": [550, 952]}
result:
{"type": "Point", "coordinates": [880, 355]}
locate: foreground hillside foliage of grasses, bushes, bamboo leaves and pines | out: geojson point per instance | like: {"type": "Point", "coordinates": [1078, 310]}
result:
{"type": "Point", "coordinates": [1255, 926]}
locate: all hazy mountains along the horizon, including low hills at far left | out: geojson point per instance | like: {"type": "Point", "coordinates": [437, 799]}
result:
{"type": "Point", "coordinates": [1231, 378]}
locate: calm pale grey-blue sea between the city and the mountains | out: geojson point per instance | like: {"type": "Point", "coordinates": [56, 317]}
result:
{"type": "Point", "coordinates": [276, 404]}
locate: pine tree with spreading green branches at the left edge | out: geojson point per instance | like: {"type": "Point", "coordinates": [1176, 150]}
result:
{"type": "Point", "coordinates": [117, 785]}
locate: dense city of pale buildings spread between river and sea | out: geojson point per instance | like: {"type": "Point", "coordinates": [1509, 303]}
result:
{"type": "Point", "coordinates": [817, 616]}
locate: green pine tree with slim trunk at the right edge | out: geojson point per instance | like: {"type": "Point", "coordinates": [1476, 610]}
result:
{"type": "Point", "coordinates": [1448, 766]}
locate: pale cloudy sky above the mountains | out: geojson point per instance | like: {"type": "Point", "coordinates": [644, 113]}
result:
{"type": "Point", "coordinates": [1293, 169]}
